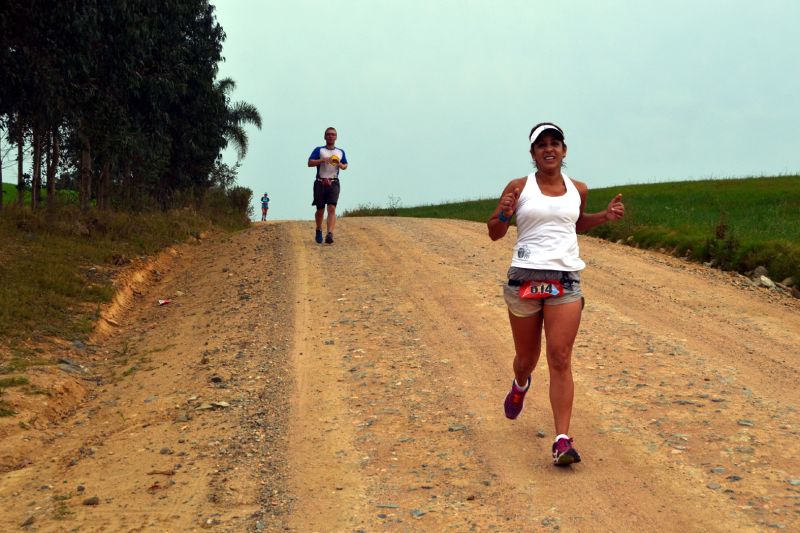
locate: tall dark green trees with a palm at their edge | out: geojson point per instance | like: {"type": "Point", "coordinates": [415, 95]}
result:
{"type": "Point", "coordinates": [117, 99]}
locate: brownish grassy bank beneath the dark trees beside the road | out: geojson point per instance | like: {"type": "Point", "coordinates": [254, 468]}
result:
{"type": "Point", "coordinates": [57, 265]}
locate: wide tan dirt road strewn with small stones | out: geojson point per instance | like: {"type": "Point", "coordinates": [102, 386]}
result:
{"type": "Point", "coordinates": [291, 386]}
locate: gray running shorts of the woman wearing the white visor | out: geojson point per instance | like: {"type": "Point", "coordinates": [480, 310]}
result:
{"type": "Point", "coordinates": [525, 307]}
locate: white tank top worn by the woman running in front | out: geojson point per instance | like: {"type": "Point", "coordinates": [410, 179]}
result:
{"type": "Point", "coordinates": [546, 237]}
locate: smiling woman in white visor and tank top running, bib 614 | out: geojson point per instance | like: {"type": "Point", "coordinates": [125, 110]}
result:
{"type": "Point", "coordinates": [543, 290]}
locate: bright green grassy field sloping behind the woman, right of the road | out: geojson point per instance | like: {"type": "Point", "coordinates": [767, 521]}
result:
{"type": "Point", "coordinates": [737, 223]}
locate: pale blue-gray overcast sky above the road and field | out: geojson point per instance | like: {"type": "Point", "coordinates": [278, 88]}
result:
{"type": "Point", "coordinates": [433, 99]}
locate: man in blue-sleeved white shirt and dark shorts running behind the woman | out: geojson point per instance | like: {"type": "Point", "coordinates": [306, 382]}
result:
{"type": "Point", "coordinates": [329, 160]}
